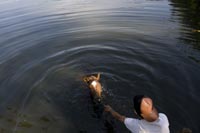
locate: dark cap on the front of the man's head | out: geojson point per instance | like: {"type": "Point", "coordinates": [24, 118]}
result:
{"type": "Point", "coordinates": [137, 102]}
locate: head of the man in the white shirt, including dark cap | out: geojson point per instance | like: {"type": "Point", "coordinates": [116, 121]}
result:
{"type": "Point", "coordinates": [144, 108]}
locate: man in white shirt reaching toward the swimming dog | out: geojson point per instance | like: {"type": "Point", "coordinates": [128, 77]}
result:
{"type": "Point", "coordinates": [151, 121]}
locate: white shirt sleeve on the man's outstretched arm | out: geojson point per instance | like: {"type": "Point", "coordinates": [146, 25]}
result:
{"type": "Point", "coordinates": [131, 124]}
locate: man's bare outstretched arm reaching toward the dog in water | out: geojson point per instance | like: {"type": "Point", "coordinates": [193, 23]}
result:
{"type": "Point", "coordinates": [114, 113]}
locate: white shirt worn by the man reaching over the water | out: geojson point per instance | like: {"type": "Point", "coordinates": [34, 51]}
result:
{"type": "Point", "coordinates": [161, 125]}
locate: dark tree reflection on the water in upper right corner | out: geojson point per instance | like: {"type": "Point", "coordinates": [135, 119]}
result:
{"type": "Point", "coordinates": [188, 11]}
